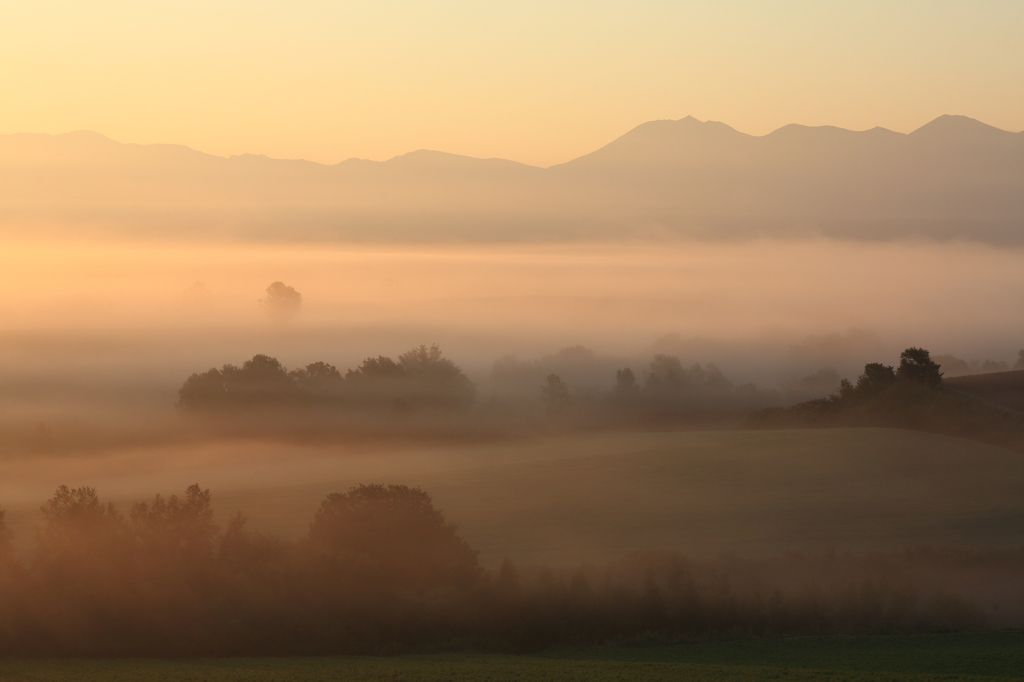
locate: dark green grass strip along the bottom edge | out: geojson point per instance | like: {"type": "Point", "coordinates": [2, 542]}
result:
{"type": "Point", "coordinates": [953, 657]}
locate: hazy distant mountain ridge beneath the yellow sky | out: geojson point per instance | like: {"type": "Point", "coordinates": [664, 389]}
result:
{"type": "Point", "coordinates": [953, 179]}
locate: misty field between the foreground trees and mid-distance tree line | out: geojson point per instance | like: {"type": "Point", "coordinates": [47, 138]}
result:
{"type": "Point", "coordinates": [592, 497]}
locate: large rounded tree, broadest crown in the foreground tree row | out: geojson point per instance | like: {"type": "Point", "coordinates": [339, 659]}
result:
{"type": "Point", "coordinates": [392, 536]}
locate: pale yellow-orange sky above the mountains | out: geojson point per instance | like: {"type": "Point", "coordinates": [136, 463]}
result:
{"type": "Point", "coordinates": [532, 81]}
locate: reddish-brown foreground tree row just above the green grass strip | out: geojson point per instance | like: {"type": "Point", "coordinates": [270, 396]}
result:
{"type": "Point", "coordinates": [382, 571]}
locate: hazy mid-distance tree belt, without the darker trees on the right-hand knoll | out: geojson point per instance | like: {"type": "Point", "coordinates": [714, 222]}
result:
{"type": "Point", "coordinates": [425, 393]}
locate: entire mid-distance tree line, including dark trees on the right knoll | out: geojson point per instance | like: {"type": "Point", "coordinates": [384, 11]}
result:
{"type": "Point", "coordinates": [432, 396]}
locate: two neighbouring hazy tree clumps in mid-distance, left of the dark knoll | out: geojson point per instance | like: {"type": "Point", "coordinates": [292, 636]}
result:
{"type": "Point", "coordinates": [424, 381]}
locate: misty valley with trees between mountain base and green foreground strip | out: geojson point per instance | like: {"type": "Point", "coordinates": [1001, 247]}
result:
{"type": "Point", "coordinates": [244, 470]}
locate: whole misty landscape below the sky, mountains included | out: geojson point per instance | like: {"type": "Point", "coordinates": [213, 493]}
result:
{"type": "Point", "coordinates": [697, 405]}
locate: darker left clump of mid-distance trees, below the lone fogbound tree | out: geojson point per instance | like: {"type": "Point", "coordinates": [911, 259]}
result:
{"type": "Point", "coordinates": [420, 378]}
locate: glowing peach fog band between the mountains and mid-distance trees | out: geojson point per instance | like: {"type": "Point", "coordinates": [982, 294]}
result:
{"type": "Point", "coordinates": [130, 315]}
